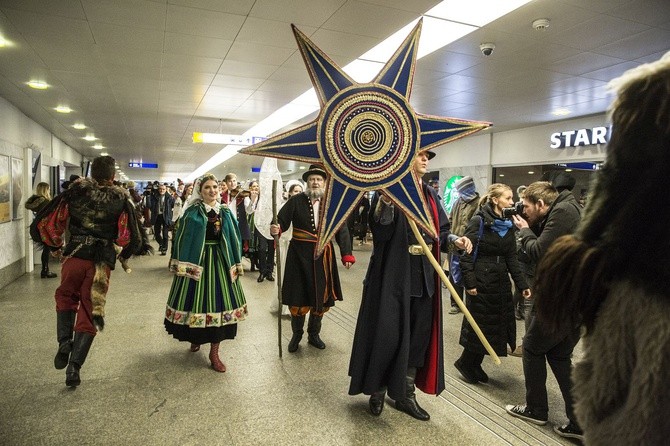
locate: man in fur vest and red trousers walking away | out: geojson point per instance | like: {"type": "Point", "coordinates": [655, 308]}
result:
{"type": "Point", "coordinates": [98, 216]}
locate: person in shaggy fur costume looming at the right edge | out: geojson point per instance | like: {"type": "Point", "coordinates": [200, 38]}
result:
{"type": "Point", "coordinates": [617, 263]}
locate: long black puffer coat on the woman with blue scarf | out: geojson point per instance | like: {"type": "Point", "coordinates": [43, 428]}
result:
{"type": "Point", "coordinates": [492, 307]}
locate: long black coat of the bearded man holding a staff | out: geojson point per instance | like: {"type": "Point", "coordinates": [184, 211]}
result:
{"type": "Point", "coordinates": [305, 278]}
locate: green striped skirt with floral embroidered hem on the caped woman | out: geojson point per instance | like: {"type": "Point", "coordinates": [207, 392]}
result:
{"type": "Point", "coordinates": [207, 310]}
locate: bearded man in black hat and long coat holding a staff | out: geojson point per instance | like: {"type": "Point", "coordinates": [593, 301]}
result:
{"type": "Point", "coordinates": [310, 285]}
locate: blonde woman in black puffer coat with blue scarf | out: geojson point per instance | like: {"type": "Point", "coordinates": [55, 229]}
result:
{"type": "Point", "coordinates": [486, 280]}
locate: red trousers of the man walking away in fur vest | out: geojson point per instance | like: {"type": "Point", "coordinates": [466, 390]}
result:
{"type": "Point", "coordinates": [74, 292]}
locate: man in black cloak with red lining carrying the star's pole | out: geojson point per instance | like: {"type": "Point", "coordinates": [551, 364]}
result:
{"type": "Point", "coordinates": [398, 339]}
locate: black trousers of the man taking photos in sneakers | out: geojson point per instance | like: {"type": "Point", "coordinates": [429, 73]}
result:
{"type": "Point", "coordinates": [540, 347]}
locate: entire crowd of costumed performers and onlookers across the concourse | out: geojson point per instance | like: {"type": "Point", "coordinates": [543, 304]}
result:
{"type": "Point", "coordinates": [600, 273]}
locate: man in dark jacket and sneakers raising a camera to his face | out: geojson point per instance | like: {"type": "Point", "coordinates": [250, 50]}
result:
{"type": "Point", "coordinates": [551, 214]}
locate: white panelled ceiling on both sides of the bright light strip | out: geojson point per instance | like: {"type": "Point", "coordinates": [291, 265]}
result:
{"type": "Point", "coordinates": [144, 75]}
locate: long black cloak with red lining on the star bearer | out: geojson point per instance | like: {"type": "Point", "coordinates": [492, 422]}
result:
{"type": "Point", "coordinates": [380, 350]}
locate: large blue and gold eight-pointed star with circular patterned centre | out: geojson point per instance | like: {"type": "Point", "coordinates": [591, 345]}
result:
{"type": "Point", "coordinates": [366, 136]}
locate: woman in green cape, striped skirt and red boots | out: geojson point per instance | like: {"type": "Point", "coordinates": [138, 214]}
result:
{"type": "Point", "coordinates": [206, 300]}
